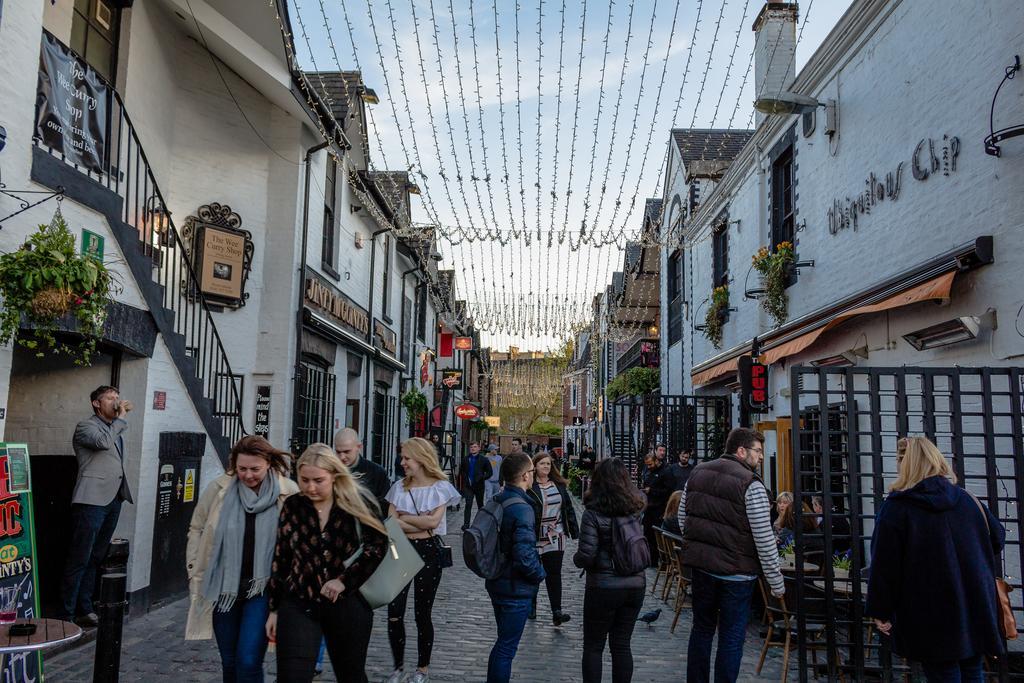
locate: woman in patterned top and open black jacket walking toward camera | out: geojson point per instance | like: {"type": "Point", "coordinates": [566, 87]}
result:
{"type": "Point", "coordinates": [554, 508]}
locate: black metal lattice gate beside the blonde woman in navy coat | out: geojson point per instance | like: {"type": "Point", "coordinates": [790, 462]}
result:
{"type": "Point", "coordinates": [846, 424]}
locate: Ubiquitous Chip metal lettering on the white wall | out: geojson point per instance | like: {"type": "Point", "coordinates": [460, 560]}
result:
{"type": "Point", "coordinates": [930, 157]}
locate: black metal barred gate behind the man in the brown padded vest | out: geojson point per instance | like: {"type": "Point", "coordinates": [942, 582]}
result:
{"type": "Point", "coordinates": [699, 424]}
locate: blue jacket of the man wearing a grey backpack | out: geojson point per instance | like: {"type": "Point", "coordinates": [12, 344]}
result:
{"type": "Point", "coordinates": [518, 540]}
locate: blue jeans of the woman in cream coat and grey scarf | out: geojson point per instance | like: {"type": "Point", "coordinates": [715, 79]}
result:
{"type": "Point", "coordinates": [241, 635]}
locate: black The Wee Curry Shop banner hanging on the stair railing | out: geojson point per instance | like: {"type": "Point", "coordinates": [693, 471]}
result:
{"type": "Point", "coordinates": [72, 105]}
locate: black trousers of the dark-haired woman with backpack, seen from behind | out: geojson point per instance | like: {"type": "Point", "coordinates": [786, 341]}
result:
{"type": "Point", "coordinates": [612, 614]}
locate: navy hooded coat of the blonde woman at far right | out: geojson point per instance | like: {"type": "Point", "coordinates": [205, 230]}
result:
{"type": "Point", "coordinates": [933, 573]}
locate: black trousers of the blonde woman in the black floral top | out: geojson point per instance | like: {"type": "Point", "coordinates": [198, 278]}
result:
{"type": "Point", "coordinates": [346, 625]}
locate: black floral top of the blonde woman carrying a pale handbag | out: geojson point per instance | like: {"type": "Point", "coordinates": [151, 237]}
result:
{"type": "Point", "coordinates": [306, 559]}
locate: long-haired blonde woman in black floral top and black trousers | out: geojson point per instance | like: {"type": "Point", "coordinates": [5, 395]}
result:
{"type": "Point", "coordinates": [330, 542]}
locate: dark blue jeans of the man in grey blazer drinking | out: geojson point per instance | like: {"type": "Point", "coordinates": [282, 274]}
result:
{"type": "Point", "coordinates": [92, 530]}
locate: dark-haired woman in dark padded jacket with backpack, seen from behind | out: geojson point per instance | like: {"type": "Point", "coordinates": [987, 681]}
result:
{"type": "Point", "coordinates": [612, 601]}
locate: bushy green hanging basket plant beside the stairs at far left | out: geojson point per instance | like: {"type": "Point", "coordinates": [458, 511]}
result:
{"type": "Point", "coordinates": [46, 280]}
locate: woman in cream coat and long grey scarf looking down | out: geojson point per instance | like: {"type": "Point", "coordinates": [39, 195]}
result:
{"type": "Point", "coordinates": [231, 547]}
